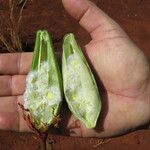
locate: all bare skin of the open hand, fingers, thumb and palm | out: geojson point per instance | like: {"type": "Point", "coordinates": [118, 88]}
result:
{"type": "Point", "coordinates": [121, 67]}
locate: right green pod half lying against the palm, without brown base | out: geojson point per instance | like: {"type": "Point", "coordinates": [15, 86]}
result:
{"type": "Point", "coordinates": [80, 88]}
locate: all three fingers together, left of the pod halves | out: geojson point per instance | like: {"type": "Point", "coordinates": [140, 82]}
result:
{"type": "Point", "coordinates": [13, 70]}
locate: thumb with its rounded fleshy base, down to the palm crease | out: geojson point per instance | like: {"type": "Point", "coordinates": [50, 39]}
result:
{"type": "Point", "coordinates": [111, 52]}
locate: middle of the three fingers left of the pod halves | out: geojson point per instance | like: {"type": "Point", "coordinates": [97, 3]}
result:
{"type": "Point", "coordinates": [12, 85]}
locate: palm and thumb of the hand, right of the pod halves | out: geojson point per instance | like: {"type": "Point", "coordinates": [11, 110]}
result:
{"type": "Point", "coordinates": [121, 67]}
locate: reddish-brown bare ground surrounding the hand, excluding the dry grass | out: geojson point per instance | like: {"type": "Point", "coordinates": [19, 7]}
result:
{"type": "Point", "coordinates": [132, 15]}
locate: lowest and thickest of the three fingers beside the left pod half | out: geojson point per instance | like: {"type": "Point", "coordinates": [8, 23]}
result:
{"type": "Point", "coordinates": [11, 114]}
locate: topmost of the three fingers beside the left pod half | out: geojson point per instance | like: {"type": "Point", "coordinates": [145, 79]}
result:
{"type": "Point", "coordinates": [15, 63]}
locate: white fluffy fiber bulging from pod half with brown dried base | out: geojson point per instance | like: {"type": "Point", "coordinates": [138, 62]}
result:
{"type": "Point", "coordinates": [39, 92]}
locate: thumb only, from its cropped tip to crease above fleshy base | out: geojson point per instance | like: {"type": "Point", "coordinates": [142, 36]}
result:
{"type": "Point", "coordinates": [90, 17]}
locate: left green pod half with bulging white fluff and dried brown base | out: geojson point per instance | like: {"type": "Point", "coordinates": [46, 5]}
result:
{"type": "Point", "coordinates": [43, 95]}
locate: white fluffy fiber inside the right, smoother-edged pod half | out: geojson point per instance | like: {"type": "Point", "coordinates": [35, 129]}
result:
{"type": "Point", "coordinates": [77, 96]}
